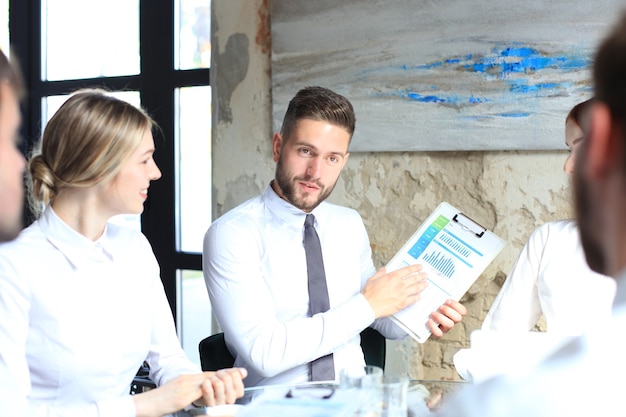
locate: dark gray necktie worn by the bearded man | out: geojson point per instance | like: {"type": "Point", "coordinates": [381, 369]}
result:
{"type": "Point", "coordinates": [322, 369]}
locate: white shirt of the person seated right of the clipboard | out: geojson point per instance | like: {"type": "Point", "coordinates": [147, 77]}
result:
{"type": "Point", "coordinates": [549, 277]}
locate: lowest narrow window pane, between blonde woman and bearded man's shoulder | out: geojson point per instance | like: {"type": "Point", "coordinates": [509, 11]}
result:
{"type": "Point", "coordinates": [195, 316]}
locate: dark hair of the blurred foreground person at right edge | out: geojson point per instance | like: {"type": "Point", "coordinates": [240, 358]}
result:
{"type": "Point", "coordinates": [609, 72]}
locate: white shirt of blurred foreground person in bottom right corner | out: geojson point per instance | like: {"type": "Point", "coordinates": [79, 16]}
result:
{"type": "Point", "coordinates": [582, 378]}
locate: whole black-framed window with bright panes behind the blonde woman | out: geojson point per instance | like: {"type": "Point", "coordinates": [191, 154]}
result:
{"type": "Point", "coordinates": [153, 53]}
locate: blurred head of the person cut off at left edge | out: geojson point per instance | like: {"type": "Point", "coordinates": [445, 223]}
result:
{"type": "Point", "coordinates": [11, 160]}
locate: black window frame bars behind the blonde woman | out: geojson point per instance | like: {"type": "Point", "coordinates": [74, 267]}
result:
{"type": "Point", "coordinates": [157, 83]}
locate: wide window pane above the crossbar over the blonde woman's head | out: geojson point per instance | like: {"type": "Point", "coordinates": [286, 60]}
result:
{"type": "Point", "coordinates": [88, 38]}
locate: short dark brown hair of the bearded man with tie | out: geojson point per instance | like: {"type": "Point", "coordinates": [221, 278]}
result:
{"type": "Point", "coordinates": [321, 104]}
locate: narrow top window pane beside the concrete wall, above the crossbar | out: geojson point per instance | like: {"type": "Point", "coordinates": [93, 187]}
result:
{"type": "Point", "coordinates": [194, 34]}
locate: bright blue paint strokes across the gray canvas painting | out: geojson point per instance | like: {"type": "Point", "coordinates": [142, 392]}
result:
{"type": "Point", "coordinates": [507, 75]}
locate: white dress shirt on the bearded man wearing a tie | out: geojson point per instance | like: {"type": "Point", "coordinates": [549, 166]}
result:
{"type": "Point", "coordinates": [255, 271]}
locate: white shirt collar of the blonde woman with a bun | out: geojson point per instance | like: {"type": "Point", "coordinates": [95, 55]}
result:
{"type": "Point", "coordinates": [75, 247]}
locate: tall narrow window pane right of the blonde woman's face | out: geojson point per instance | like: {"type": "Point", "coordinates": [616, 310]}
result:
{"type": "Point", "coordinates": [194, 167]}
